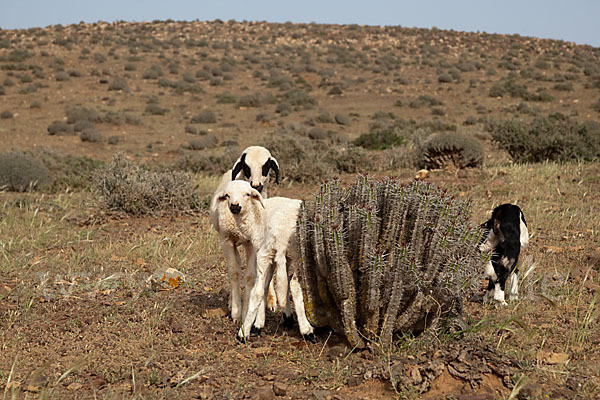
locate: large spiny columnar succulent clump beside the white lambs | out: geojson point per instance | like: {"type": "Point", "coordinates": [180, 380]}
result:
{"type": "Point", "coordinates": [381, 257]}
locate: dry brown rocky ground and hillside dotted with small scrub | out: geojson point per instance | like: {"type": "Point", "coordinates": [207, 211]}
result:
{"type": "Point", "coordinates": [78, 319]}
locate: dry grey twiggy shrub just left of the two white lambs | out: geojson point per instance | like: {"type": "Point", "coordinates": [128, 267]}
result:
{"type": "Point", "coordinates": [137, 191]}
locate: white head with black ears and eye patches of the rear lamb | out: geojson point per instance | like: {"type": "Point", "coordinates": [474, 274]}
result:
{"type": "Point", "coordinates": [255, 164]}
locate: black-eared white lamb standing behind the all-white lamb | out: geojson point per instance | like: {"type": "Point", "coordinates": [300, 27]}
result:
{"type": "Point", "coordinates": [254, 165]}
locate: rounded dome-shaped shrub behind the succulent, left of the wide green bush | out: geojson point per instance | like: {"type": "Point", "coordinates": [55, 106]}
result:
{"type": "Point", "coordinates": [450, 149]}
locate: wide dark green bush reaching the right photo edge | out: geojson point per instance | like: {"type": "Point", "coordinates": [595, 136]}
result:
{"type": "Point", "coordinates": [553, 138]}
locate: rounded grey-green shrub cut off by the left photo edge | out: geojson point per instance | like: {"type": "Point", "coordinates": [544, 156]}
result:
{"type": "Point", "coordinates": [20, 172]}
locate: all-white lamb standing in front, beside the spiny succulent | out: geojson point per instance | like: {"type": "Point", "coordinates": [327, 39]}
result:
{"type": "Point", "coordinates": [271, 226]}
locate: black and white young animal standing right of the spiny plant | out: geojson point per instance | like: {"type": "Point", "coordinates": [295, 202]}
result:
{"type": "Point", "coordinates": [506, 236]}
